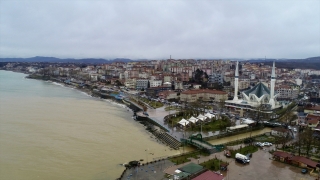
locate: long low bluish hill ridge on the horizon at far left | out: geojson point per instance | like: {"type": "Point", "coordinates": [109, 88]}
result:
{"type": "Point", "coordinates": [58, 60]}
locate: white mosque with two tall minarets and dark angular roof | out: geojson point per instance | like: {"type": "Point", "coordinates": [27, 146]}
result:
{"type": "Point", "coordinates": [259, 98]}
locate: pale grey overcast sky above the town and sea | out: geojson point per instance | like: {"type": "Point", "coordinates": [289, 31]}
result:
{"type": "Point", "coordinates": [150, 29]}
